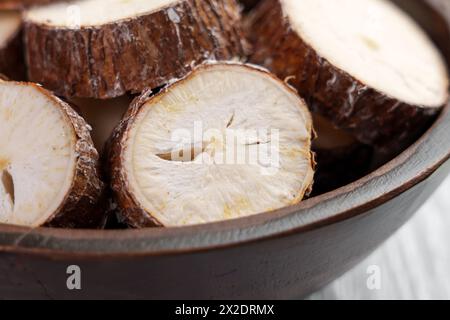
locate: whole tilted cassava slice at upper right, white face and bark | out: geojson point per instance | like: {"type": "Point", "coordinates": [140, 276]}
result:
{"type": "Point", "coordinates": [363, 64]}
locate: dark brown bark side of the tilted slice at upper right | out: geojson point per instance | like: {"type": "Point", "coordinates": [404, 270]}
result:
{"type": "Point", "coordinates": [371, 116]}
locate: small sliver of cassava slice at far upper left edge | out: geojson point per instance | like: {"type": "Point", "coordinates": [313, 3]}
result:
{"type": "Point", "coordinates": [11, 49]}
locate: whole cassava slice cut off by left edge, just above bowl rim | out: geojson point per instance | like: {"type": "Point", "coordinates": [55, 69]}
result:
{"type": "Point", "coordinates": [48, 164]}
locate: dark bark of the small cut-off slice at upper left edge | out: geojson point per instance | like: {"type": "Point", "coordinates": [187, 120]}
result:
{"type": "Point", "coordinates": [12, 63]}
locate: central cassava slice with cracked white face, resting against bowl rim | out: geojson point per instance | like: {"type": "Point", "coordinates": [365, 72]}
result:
{"type": "Point", "coordinates": [187, 155]}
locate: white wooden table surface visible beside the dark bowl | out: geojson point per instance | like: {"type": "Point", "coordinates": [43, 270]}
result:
{"type": "Point", "coordinates": [413, 264]}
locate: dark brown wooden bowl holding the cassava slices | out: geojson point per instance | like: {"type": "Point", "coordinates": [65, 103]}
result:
{"type": "Point", "coordinates": [286, 254]}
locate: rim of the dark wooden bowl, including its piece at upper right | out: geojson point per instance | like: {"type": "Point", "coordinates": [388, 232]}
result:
{"type": "Point", "coordinates": [378, 187]}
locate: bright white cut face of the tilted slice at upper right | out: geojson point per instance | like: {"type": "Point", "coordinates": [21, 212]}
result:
{"type": "Point", "coordinates": [375, 42]}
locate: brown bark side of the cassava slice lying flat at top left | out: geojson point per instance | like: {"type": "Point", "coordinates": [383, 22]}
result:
{"type": "Point", "coordinates": [131, 55]}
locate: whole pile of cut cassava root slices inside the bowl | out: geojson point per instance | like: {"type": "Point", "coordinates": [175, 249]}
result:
{"type": "Point", "coordinates": [169, 113]}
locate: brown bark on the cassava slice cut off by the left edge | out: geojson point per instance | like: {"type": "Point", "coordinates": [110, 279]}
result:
{"type": "Point", "coordinates": [82, 206]}
